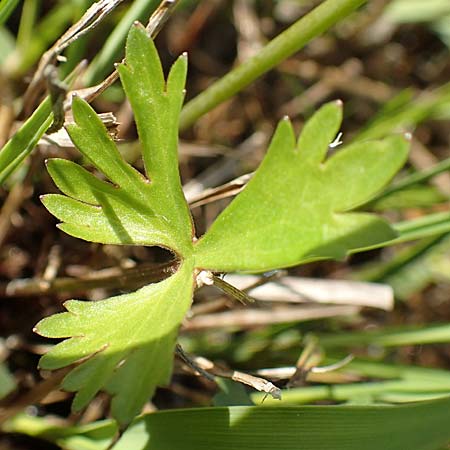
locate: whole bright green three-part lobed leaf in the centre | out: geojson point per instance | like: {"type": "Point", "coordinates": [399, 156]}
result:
{"type": "Point", "coordinates": [296, 208]}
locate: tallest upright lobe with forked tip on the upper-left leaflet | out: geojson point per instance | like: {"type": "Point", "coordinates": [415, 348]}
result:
{"type": "Point", "coordinates": [157, 106]}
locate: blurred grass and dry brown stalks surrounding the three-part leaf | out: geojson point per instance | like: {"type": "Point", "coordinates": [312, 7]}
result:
{"type": "Point", "coordinates": [389, 64]}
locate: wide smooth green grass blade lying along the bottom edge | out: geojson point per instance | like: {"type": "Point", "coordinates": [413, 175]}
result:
{"type": "Point", "coordinates": [416, 426]}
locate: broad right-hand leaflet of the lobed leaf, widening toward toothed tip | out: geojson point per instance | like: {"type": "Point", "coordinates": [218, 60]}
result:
{"type": "Point", "coordinates": [296, 206]}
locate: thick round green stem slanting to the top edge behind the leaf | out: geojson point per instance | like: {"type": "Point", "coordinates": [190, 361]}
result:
{"type": "Point", "coordinates": [284, 45]}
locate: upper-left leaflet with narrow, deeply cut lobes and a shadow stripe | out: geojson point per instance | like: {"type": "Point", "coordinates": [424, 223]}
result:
{"type": "Point", "coordinates": [129, 208]}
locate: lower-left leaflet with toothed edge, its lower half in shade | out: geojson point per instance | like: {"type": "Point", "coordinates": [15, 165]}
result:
{"type": "Point", "coordinates": [131, 339]}
